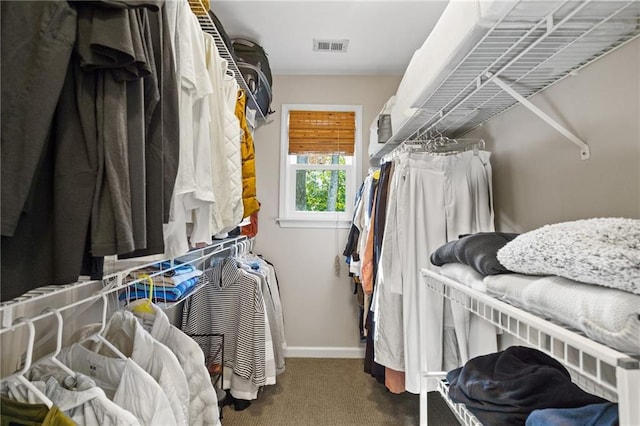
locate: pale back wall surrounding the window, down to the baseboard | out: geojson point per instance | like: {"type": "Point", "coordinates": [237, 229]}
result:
{"type": "Point", "coordinates": [320, 310]}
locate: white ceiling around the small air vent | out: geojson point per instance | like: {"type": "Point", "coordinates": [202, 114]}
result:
{"type": "Point", "coordinates": [382, 34]}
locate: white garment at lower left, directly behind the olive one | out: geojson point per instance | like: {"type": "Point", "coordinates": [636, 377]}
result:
{"type": "Point", "coordinates": [79, 398]}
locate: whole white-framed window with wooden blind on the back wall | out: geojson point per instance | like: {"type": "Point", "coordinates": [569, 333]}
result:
{"type": "Point", "coordinates": [320, 164]}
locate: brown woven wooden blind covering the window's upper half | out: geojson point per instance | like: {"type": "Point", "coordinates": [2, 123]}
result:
{"type": "Point", "coordinates": [322, 132]}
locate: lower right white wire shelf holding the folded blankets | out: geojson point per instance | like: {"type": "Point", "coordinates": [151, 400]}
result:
{"type": "Point", "coordinates": [596, 368]}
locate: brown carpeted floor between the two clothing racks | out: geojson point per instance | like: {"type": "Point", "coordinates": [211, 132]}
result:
{"type": "Point", "coordinates": [333, 392]}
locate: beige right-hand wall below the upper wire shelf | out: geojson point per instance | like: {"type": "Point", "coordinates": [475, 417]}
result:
{"type": "Point", "coordinates": [538, 175]}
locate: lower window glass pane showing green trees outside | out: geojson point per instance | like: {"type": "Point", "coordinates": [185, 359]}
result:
{"type": "Point", "coordinates": [321, 190]}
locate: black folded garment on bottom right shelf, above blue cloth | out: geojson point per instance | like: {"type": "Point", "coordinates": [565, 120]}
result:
{"type": "Point", "coordinates": [503, 388]}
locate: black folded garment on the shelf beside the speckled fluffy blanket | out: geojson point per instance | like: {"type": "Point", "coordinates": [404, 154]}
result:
{"type": "Point", "coordinates": [476, 250]}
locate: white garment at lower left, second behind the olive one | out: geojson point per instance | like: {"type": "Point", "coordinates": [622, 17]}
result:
{"type": "Point", "coordinates": [122, 380]}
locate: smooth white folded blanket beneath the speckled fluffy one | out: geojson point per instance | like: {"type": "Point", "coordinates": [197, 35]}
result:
{"type": "Point", "coordinates": [607, 315]}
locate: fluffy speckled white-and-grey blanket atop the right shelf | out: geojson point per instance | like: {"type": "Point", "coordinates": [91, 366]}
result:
{"type": "Point", "coordinates": [602, 251]}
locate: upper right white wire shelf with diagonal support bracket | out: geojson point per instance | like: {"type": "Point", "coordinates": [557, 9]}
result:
{"type": "Point", "coordinates": [517, 58]}
